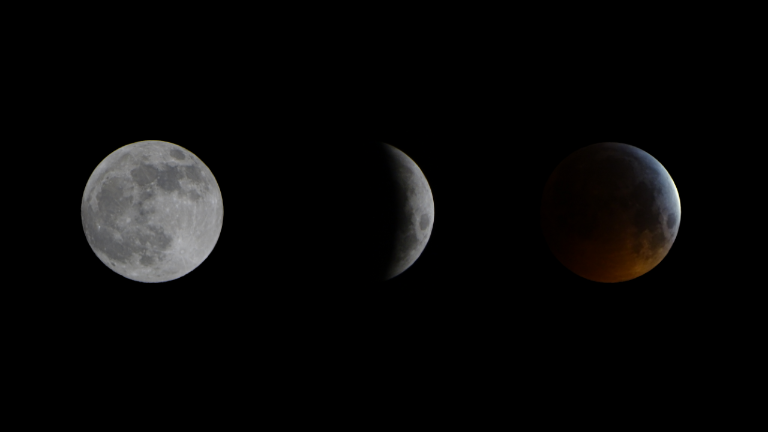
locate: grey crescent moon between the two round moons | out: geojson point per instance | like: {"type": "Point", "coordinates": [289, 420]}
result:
{"type": "Point", "coordinates": [414, 211]}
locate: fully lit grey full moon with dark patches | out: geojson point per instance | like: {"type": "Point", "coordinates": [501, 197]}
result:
{"type": "Point", "coordinates": [152, 211]}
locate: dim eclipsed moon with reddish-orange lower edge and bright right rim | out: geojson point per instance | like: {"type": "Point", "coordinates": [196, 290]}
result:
{"type": "Point", "coordinates": [610, 212]}
